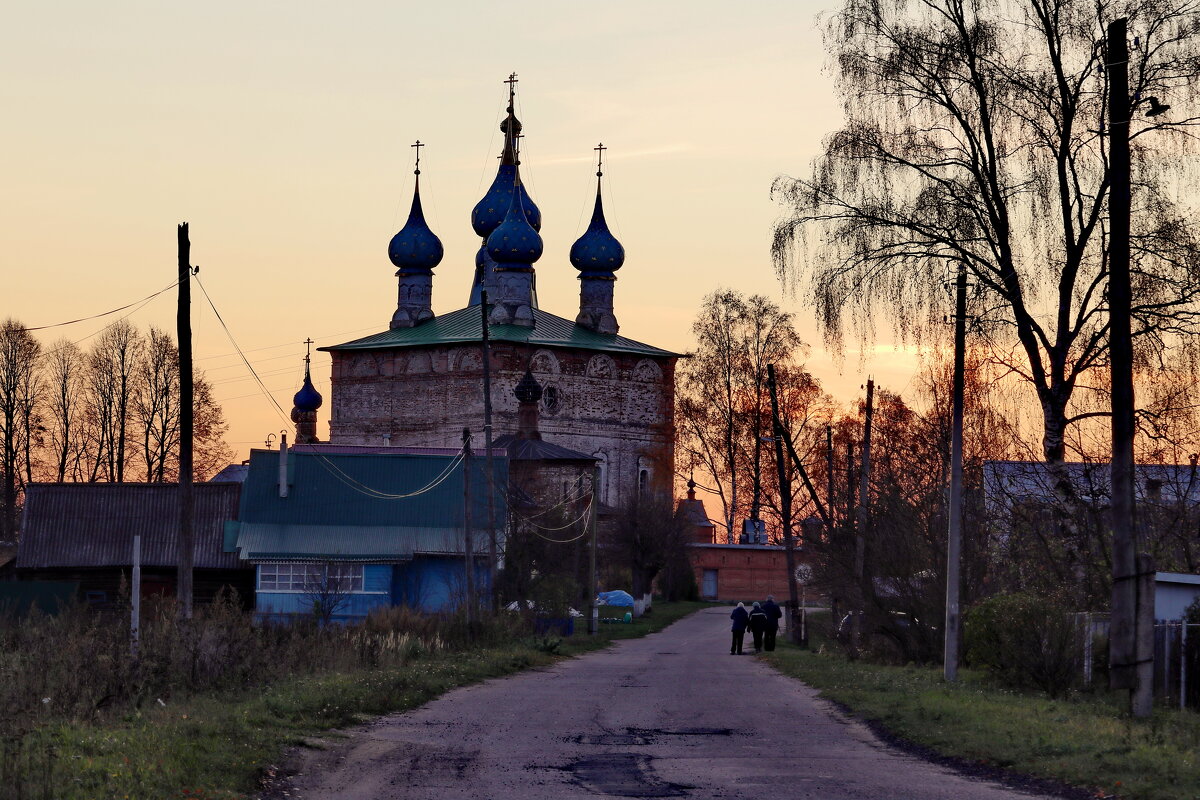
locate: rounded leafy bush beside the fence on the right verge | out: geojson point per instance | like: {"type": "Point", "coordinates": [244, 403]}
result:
{"type": "Point", "coordinates": [1025, 640]}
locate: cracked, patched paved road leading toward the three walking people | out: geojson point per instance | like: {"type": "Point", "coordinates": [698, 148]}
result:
{"type": "Point", "coordinates": [671, 715]}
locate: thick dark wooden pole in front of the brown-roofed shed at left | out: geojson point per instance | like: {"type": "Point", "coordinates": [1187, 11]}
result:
{"type": "Point", "coordinates": [187, 502]}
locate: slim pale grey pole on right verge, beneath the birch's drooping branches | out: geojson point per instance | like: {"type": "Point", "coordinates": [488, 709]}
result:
{"type": "Point", "coordinates": [955, 538]}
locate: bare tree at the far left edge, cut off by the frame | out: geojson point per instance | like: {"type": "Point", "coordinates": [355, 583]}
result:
{"type": "Point", "coordinates": [19, 396]}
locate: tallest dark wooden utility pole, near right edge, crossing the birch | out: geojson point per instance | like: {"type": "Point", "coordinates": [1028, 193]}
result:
{"type": "Point", "coordinates": [1131, 661]}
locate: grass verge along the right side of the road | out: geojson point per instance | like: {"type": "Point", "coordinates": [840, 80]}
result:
{"type": "Point", "coordinates": [1084, 741]}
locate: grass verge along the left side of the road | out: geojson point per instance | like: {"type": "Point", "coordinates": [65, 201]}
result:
{"type": "Point", "coordinates": [225, 745]}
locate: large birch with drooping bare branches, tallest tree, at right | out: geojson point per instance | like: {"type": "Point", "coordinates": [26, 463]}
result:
{"type": "Point", "coordinates": [975, 134]}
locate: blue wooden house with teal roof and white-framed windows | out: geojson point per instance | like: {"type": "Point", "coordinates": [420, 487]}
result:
{"type": "Point", "coordinates": [361, 531]}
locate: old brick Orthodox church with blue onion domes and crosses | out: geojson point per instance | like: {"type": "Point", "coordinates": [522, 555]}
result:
{"type": "Point", "coordinates": [421, 382]}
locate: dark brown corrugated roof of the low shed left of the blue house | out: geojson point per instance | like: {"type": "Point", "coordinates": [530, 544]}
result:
{"type": "Point", "coordinates": [93, 525]}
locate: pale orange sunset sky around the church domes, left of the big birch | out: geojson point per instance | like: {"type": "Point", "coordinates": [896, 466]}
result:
{"type": "Point", "coordinates": [281, 133]}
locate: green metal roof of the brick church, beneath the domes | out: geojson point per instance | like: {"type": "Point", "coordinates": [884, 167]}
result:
{"type": "Point", "coordinates": [465, 326]}
